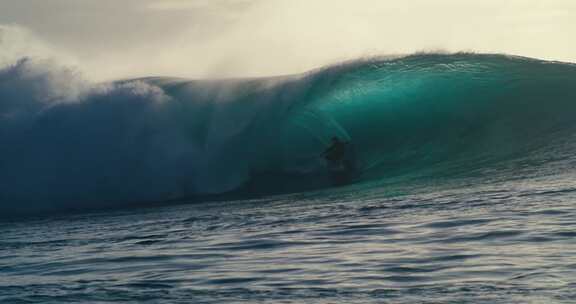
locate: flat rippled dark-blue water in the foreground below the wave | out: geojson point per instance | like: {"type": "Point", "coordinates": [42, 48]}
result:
{"type": "Point", "coordinates": [506, 243]}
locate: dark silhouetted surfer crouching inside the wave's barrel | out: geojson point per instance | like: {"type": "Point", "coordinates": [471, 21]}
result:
{"type": "Point", "coordinates": [339, 160]}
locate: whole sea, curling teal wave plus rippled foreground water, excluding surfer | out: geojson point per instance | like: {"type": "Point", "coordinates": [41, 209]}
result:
{"type": "Point", "coordinates": [172, 190]}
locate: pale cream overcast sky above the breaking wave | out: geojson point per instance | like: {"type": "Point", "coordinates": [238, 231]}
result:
{"type": "Point", "coordinates": [112, 39]}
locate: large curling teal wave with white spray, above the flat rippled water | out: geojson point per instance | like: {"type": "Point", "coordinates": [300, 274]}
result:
{"type": "Point", "coordinates": [71, 144]}
